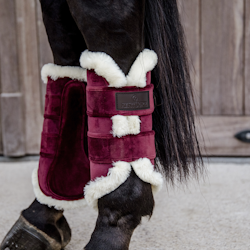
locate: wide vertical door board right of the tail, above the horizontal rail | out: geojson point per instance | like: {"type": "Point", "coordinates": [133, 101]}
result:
{"type": "Point", "coordinates": [222, 26]}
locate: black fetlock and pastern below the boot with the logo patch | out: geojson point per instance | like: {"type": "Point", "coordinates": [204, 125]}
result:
{"type": "Point", "coordinates": [120, 212]}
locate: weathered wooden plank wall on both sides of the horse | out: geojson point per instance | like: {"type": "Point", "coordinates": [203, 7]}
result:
{"type": "Point", "coordinates": [218, 36]}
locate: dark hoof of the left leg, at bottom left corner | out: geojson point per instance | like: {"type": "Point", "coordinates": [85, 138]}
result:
{"type": "Point", "coordinates": [24, 236]}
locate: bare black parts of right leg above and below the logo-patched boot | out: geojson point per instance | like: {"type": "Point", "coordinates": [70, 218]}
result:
{"type": "Point", "coordinates": [116, 28]}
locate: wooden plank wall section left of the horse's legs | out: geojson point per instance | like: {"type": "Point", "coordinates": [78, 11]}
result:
{"type": "Point", "coordinates": [23, 50]}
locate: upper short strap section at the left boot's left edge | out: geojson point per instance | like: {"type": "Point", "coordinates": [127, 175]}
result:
{"type": "Point", "coordinates": [52, 105]}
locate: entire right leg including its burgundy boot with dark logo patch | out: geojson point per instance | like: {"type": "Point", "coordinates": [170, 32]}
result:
{"type": "Point", "coordinates": [113, 31]}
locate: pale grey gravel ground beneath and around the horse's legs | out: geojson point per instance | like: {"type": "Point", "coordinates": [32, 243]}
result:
{"type": "Point", "coordinates": [211, 215]}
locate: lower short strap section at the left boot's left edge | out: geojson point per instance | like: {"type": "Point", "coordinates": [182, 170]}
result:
{"type": "Point", "coordinates": [49, 143]}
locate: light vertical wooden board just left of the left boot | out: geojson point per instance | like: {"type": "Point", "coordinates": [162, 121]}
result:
{"type": "Point", "coordinates": [29, 73]}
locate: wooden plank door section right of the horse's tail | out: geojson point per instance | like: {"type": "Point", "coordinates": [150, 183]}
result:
{"type": "Point", "coordinates": [218, 35]}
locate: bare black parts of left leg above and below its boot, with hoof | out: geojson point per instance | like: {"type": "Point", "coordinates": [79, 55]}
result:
{"type": "Point", "coordinates": [39, 223]}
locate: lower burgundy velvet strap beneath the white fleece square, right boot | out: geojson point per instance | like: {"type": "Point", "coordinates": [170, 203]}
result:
{"type": "Point", "coordinates": [107, 149]}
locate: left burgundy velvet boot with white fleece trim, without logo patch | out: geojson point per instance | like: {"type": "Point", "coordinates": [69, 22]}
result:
{"type": "Point", "coordinates": [64, 166]}
